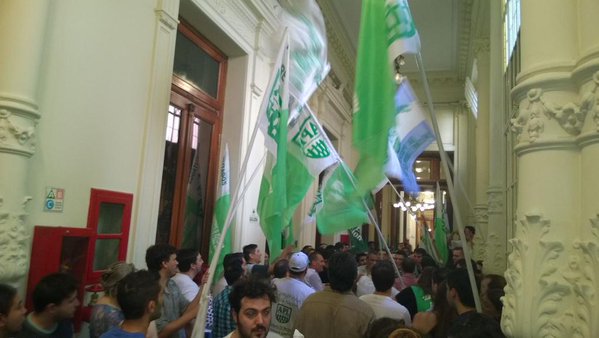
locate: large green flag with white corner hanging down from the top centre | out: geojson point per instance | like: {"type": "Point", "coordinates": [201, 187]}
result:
{"type": "Point", "coordinates": [386, 31]}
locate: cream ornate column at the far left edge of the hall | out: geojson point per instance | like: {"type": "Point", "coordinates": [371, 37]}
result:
{"type": "Point", "coordinates": [20, 58]}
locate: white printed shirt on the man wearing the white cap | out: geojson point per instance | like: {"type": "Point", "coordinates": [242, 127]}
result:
{"type": "Point", "coordinates": [291, 294]}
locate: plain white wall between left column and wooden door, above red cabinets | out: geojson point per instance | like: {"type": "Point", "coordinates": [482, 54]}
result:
{"type": "Point", "coordinates": [93, 93]}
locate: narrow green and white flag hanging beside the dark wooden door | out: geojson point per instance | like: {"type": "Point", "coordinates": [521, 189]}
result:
{"type": "Point", "coordinates": [221, 208]}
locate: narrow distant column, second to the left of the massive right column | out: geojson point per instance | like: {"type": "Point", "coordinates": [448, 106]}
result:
{"type": "Point", "coordinates": [481, 52]}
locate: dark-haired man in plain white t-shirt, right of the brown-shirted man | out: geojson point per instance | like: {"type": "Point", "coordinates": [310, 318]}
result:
{"type": "Point", "coordinates": [383, 277]}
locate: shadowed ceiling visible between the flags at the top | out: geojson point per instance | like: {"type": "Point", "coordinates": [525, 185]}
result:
{"type": "Point", "coordinates": [445, 27]}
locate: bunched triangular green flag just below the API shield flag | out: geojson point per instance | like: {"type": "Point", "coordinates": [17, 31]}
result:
{"type": "Point", "coordinates": [340, 207]}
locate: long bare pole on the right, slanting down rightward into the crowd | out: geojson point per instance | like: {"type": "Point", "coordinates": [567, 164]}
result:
{"type": "Point", "coordinates": [450, 186]}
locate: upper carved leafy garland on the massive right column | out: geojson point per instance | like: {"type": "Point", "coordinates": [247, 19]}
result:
{"type": "Point", "coordinates": [533, 114]}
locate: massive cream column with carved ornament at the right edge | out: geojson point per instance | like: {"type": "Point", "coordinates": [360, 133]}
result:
{"type": "Point", "coordinates": [553, 270]}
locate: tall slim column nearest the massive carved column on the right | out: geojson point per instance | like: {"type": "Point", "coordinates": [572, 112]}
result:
{"type": "Point", "coordinates": [495, 253]}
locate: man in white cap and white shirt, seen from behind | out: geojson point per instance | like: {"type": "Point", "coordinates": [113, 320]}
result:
{"type": "Point", "coordinates": [291, 293]}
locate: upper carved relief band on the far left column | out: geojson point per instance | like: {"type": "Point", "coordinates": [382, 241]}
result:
{"type": "Point", "coordinates": [15, 135]}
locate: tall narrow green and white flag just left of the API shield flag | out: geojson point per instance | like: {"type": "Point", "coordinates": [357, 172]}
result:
{"type": "Point", "coordinates": [274, 115]}
